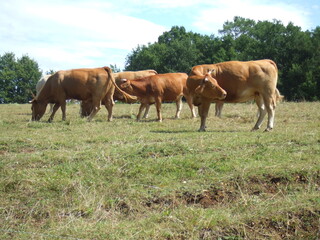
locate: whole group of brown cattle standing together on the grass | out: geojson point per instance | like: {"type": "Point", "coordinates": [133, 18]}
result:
{"type": "Point", "coordinates": [226, 82]}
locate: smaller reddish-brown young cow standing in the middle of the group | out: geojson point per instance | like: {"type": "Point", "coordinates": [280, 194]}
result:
{"type": "Point", "coordinates": [159, 88]}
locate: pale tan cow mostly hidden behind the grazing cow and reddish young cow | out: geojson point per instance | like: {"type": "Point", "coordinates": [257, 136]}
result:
{"type": "Point", "coordinates": [86, 106]}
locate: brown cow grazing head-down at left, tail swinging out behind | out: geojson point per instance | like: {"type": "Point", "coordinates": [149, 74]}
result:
{"type": "Point", "coordinates": [88, 84]}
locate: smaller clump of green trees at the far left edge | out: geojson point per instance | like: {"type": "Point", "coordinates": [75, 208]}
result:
{"type": "Point", "coordinates": [18, 78]}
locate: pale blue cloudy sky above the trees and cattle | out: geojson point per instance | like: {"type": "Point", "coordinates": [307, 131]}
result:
{"type": "Point", "coordinates": [67, 34]}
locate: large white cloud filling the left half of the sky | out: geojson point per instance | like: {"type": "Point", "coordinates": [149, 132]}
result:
{"type": "Point", "coordinates": [60, 35]}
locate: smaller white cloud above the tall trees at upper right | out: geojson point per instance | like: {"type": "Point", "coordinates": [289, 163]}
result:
{"type": "Point", "coordinates": [212, 18]}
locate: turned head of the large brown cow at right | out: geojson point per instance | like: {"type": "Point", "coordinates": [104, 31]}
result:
{"type": "Point", "coordinates": [209, 88]}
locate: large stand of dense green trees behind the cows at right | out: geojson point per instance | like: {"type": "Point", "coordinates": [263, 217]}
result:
{"type": "Point", "coordinates": [297, 53]}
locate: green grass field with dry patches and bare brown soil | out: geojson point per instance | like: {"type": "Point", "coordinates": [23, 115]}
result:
{"type": "Point", "coordinates": [149, 180]}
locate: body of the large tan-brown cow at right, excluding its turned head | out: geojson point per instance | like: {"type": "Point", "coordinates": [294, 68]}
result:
{"type": "Point", "coordinates": [243, 81]}
